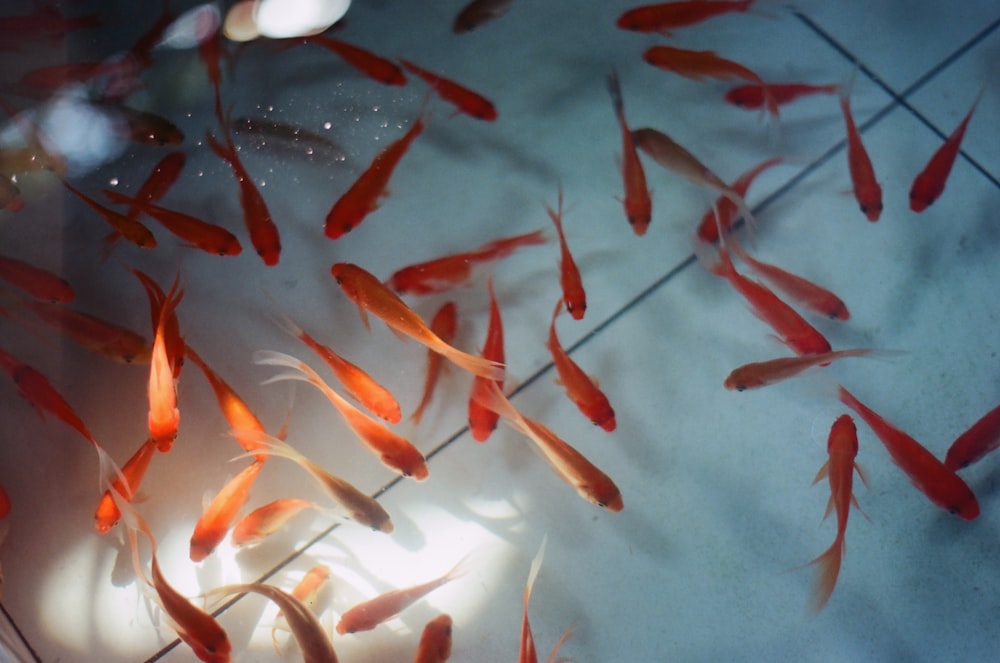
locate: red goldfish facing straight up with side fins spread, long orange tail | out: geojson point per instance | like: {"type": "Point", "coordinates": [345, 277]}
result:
{"type": "Point", "coordinates": [842, 447]}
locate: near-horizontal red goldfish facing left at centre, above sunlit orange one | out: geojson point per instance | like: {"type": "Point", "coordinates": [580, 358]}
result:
{"type": "Point", "coordinates": [442, 274]}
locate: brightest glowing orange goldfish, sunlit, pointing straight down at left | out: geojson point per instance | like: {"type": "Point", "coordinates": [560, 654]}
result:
{"type": "Point", "coordinates": [164, 416]}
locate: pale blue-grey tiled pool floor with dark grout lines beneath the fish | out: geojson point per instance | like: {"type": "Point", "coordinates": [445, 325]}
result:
{"type": "Point", "coordinates": [703, 562]}
